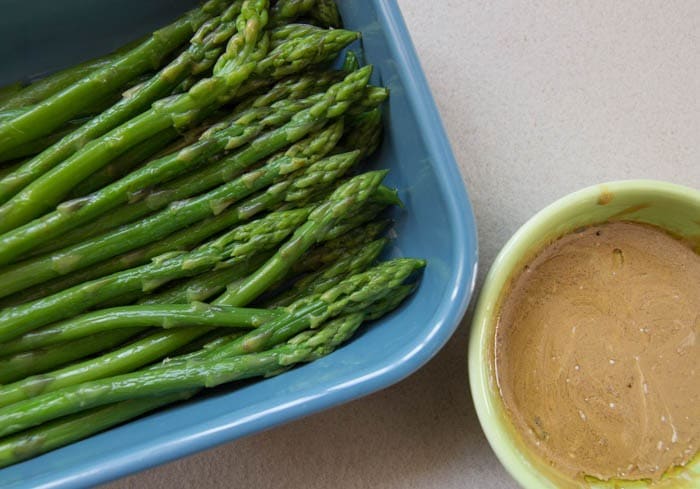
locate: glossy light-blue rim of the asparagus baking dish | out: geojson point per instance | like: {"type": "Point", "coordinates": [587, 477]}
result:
{"type": "Point", "coordinates": [448, 314]}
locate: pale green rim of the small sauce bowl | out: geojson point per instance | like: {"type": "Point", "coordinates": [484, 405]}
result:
{"type": "Point", "coordinates": [486, 400]}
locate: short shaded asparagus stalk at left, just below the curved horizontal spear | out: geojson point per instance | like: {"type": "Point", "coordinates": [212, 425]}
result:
{"type": "Point", "coordinates": [21, 365]}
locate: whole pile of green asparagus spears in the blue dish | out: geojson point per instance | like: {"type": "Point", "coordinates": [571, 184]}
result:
{"type": "Point", "coordinates": [185, 212]}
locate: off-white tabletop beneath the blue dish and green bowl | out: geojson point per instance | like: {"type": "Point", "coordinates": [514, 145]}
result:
{"type": "Point", "coordinates": [539, 99]}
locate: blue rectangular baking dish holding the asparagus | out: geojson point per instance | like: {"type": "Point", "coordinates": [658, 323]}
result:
{"type": "Point", "coordinates": [437, 224]}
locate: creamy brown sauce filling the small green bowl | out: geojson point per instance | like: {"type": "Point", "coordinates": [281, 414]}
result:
{"type": "Point", "coordinates": [597, 352]}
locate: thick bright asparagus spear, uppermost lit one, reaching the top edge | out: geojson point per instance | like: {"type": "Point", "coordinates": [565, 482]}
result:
{"type": "Point", "coordinates": [62, 106]}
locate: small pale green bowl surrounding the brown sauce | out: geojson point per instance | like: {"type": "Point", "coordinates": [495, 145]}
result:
{"type": "Point", "coordinates": [672, 207]}
